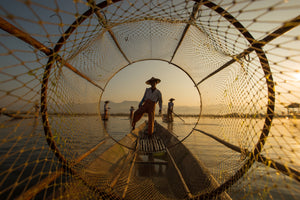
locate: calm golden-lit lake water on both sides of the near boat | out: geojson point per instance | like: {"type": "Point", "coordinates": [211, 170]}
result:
{"type": "Point", "coordinates": [25, 157]}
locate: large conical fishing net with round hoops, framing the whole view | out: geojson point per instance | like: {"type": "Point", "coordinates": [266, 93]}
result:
{"type": "Point", "coordinates": [242, 56]}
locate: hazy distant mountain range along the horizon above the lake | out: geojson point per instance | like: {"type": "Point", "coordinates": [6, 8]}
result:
{"type": "Point", "coordinates": [124, 107]}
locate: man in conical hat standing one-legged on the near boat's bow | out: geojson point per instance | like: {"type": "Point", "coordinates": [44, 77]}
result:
{"type": "Point", "coordinates": [147, 105]}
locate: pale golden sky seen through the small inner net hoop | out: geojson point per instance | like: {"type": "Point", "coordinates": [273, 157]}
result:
{"type": "Point", "coordinates": [129, 83]}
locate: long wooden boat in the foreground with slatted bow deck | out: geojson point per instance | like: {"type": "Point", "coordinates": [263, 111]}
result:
{"type": "Point", "coordinates": [143, 167]}
